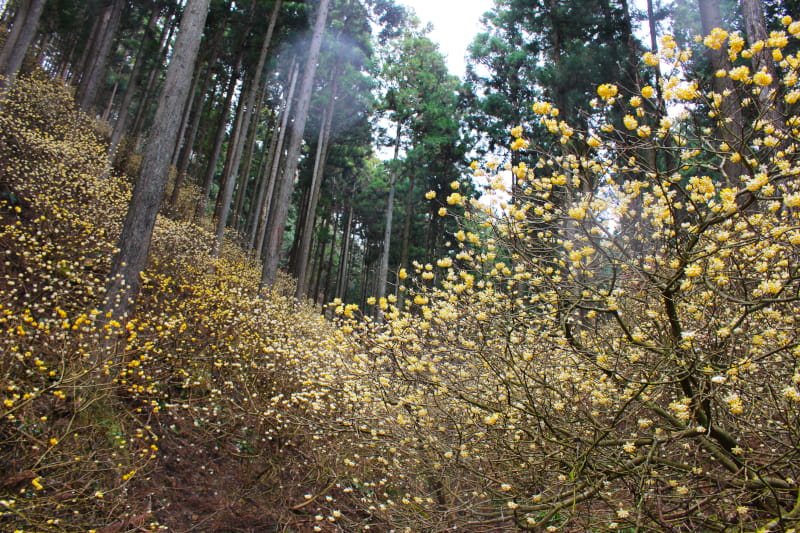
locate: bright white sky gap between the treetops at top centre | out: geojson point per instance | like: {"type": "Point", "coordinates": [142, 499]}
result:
{"type": "Point", "coordinates": [455, 24]}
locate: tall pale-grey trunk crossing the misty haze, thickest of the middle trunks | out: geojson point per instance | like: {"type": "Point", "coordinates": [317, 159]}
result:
{"type": "Point", "coordinates": [278, 223]}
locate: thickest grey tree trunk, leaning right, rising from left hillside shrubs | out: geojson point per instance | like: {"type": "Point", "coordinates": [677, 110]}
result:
{"type": "Point", "coordinates": [134, 242]}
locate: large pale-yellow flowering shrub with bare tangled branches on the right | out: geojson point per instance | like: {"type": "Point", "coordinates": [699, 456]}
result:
{"type": "Point", "coordinates": [618, 349]}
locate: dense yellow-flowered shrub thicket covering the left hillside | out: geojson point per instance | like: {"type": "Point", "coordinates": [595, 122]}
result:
{"type": "Point", "coordinates": [180, 415]}
